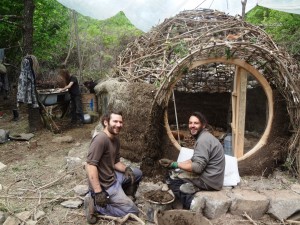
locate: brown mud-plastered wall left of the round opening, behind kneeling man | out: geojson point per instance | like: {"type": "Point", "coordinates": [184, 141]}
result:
{"type": "Point", "coordinates": [135, 101]}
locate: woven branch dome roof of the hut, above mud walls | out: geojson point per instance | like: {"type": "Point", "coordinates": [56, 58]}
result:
{"type": "Point", "coordinates": [166, 57]}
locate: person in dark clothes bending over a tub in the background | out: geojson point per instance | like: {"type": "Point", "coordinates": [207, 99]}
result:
{"type": "Point", "coordinates": [74, 90]}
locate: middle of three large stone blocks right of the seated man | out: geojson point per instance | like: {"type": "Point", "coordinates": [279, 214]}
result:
{"type": "Point", "coordinates": [250, 202]}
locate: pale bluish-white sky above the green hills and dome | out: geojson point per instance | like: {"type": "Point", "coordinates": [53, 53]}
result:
{"type": "Point", "coordinates": [144, 14]}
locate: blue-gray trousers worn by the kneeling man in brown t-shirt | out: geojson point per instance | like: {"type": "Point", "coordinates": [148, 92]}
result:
{"type": "Point", "coordinates": [120, 204]}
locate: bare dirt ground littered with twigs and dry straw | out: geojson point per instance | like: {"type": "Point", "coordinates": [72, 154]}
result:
{"type": "Point", "coordinates": [37, 178]}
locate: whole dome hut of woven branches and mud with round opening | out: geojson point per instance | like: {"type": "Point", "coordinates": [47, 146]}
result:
{"type": "Point", "coordinates": [208, 61]}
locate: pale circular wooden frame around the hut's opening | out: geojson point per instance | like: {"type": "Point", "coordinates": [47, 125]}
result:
{"type": "Point", "coordinates": [260, 78]}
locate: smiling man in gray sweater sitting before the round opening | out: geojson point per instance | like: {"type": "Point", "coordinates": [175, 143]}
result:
{"type": "Point", "coordinates": [205, 170]}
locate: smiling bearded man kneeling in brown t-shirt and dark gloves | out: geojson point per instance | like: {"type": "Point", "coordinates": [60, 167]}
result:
{"type": "Point", "coordinates": [112, 183]}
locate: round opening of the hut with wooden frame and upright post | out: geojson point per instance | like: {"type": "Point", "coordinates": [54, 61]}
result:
{"type": "Point", "coordinates": [235, 98]}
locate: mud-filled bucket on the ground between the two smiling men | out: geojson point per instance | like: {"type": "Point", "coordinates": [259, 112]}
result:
{"type": "Point", "coordinates": [152, 207]}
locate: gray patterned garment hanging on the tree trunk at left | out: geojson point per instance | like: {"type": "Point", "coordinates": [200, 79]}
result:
{"type": "Point", "coordinates": [26, 84]}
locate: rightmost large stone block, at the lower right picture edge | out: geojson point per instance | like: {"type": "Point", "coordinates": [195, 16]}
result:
{"type": "Point", "coordinates": [283, 203]}
